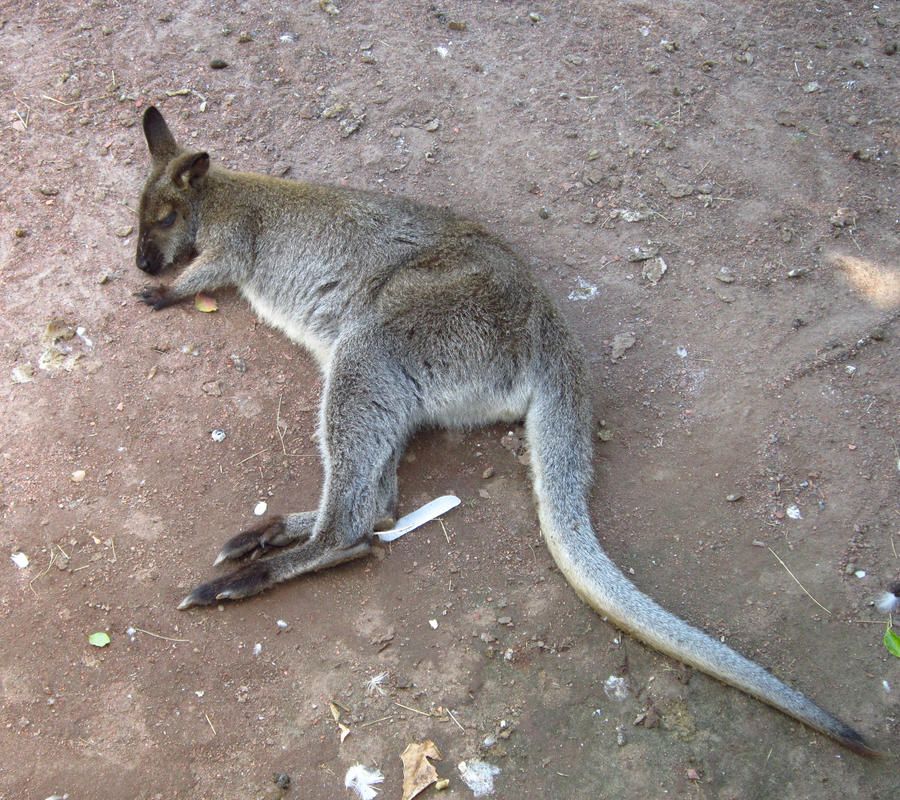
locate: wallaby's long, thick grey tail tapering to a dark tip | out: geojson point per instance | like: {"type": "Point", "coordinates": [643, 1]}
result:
{"type": "Point", "coordinates": [560, 457]}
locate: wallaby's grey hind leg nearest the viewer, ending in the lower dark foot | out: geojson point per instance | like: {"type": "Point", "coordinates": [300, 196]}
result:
{"type": "Point", "coordinates": [366, 419]}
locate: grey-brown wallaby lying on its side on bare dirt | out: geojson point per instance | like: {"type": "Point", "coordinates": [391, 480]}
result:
{"type": "Point", "coordinates": [417, 318]}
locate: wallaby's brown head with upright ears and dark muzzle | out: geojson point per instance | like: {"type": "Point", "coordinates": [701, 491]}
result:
{"type": "Point", "coordinates": [168, 212]}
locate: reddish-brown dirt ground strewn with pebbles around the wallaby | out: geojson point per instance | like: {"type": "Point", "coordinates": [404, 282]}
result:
{"type": "Point", "coordinates": [746, 400]}
